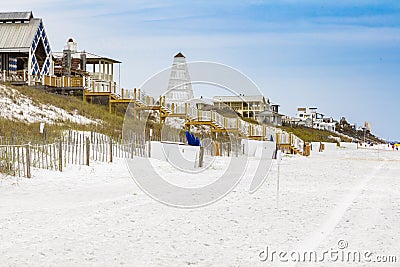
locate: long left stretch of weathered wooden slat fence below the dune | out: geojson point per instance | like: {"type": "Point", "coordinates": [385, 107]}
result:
{"type": "Point", "coordinates": [75, 148]}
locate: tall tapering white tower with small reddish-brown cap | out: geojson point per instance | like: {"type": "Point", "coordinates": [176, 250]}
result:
{"type": "Point", "coordinates": [179, 85]}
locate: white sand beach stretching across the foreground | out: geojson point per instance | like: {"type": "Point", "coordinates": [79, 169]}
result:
{"type": "Point", "coordinates": [96, 215]}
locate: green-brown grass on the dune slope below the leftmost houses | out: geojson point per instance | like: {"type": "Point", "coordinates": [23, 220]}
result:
{"type": "Point", "coordinates": [110, 124]}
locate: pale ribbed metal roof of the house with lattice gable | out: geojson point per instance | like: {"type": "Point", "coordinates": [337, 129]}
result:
{"type": "Point", "coordinates": [18, 37]}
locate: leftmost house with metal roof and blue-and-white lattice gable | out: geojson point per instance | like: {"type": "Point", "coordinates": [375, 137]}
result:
{"type": "Point", "coordinates": [25, 52]}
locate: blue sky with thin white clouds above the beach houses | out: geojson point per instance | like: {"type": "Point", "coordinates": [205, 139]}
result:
{"type": "Point", "coordinates": [341, 56]}
